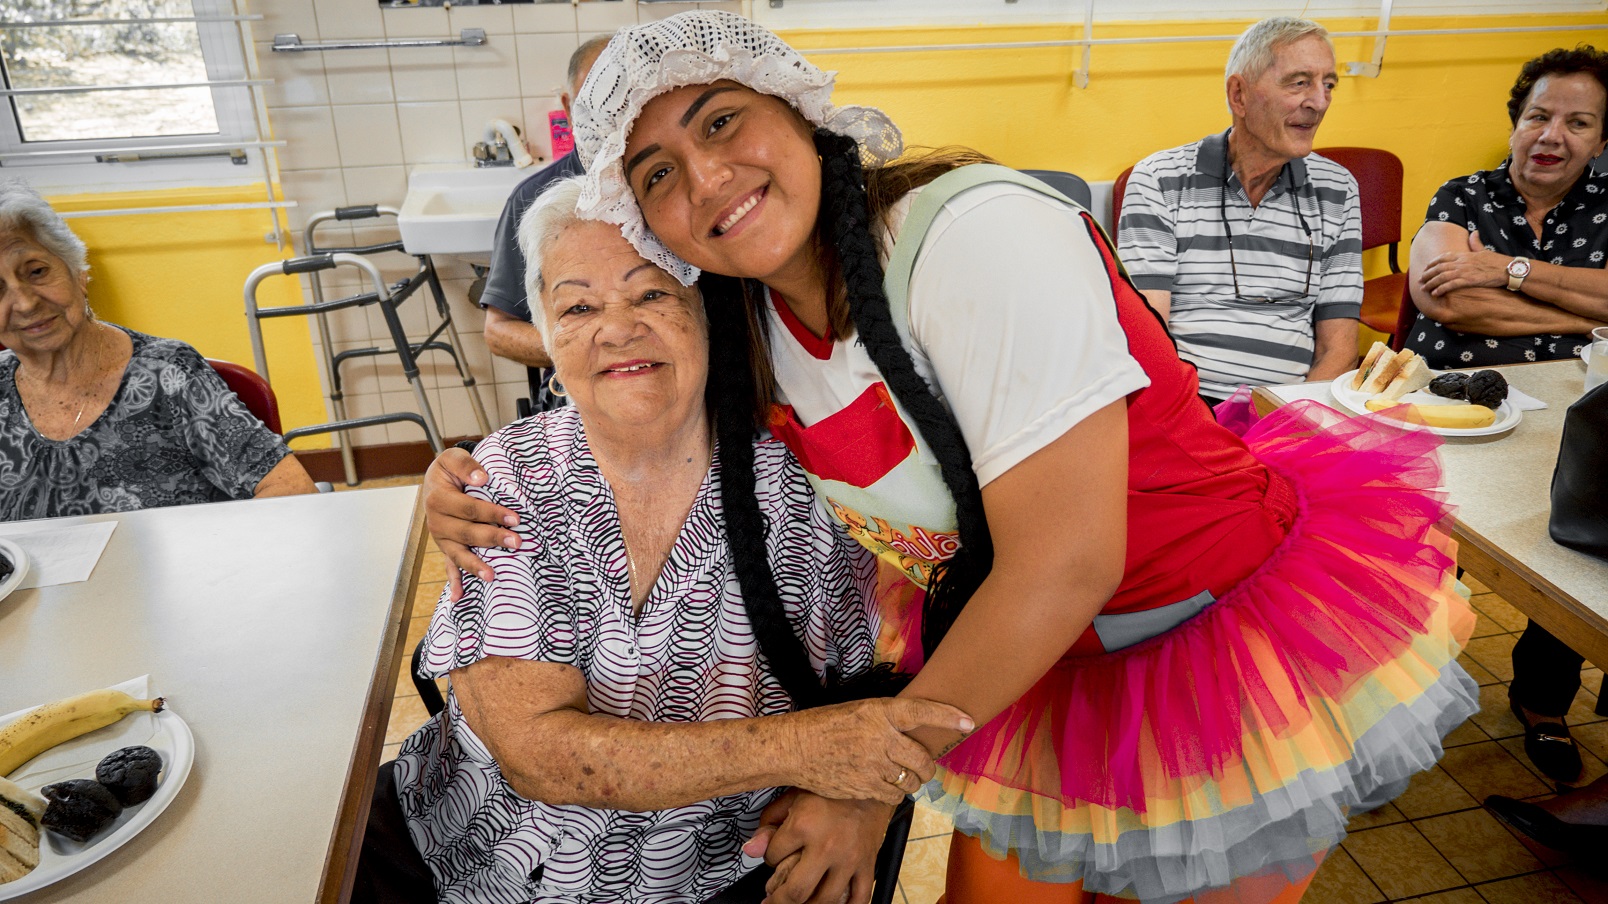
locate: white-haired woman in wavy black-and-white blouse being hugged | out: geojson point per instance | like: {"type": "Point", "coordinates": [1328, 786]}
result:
{"type": "Point", "coordinates": [625, 686]}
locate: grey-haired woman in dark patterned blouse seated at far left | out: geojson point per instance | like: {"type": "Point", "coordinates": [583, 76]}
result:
{"type": "Point", "coordinates": [96, 417]}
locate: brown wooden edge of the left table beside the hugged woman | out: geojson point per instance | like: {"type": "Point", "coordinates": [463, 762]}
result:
{"type": "Point", "coordinates": [340, 865]}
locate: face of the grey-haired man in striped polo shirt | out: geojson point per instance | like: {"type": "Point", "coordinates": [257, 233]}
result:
{"type": "Point", "coordinates": [1281, 110]}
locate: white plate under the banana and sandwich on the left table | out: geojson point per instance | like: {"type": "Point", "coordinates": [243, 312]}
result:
{"type": "Point", "coordinates": [165, 733]}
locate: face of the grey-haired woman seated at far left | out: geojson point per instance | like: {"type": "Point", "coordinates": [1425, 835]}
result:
{"type": "Point", "coordinates": [43, 302]}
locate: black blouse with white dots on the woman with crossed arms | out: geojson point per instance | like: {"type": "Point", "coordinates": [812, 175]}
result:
{"type": "Point", "coordinates": [1573, 236]}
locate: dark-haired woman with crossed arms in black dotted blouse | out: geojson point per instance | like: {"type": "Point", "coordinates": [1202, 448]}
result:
{"type": "Point", "coordinates": [1509, 265]}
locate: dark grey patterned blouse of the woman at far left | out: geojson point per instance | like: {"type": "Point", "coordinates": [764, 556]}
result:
{"type": "Point", "coordinates": [173, 435]}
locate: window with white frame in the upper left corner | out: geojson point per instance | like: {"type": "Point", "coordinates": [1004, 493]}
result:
{"type": "Point", "coordinates": [118, 94]}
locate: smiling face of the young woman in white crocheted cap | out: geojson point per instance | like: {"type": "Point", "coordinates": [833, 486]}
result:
{"type": "Point", "coordinates": [728, 179]}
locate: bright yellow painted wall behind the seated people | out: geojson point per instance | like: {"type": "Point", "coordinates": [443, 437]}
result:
{"type": "Point", "coordinates": [1440, 105]}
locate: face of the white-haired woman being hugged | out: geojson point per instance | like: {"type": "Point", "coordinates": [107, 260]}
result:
{"type": "Point", "coordinates": [630, 343]}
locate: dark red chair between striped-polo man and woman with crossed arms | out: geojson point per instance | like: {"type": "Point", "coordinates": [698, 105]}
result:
{"type": "Point", "coordinates": [1379, 175]}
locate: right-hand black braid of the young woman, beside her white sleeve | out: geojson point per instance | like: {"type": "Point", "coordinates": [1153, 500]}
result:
{"type": "Point", "coordinates": [845, 228]}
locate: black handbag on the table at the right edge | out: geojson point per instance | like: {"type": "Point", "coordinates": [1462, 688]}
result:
{"type": "Point", "coordinates": [1580, 483]}
